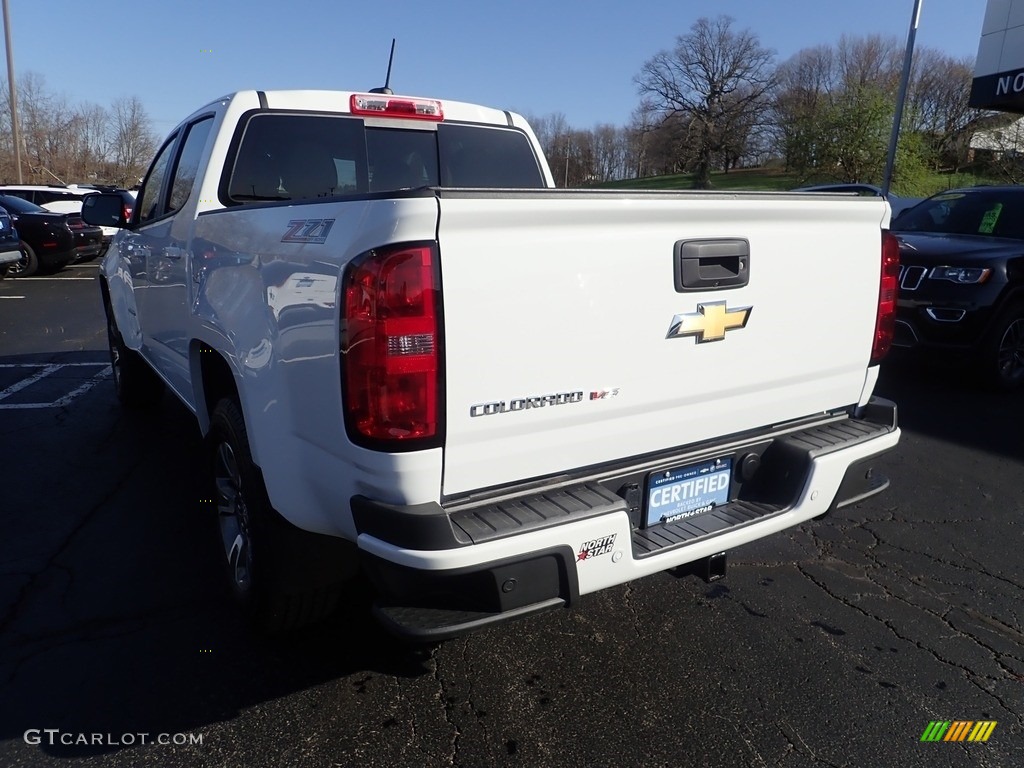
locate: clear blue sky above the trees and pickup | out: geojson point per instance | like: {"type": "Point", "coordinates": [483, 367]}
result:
{"type": "Point", "coordinates": [539, 58]}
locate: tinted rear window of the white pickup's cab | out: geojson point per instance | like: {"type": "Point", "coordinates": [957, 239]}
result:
{"type": "Point", "coordinates": [304, 157]}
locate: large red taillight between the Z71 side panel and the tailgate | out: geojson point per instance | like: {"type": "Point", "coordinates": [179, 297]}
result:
{"type": "Point", "coordinates": [391, 346]}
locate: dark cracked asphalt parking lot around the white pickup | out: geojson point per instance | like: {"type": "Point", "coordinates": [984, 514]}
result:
{"type": "Point", "coordinates": [835, 645]}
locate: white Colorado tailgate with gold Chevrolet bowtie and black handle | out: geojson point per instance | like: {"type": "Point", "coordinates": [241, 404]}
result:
{"type": "Point", "coordinates": [559, 308]}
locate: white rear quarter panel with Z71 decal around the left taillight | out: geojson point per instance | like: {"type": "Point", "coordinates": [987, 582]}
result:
{"type": "Point", "coordinates": [272, 307]}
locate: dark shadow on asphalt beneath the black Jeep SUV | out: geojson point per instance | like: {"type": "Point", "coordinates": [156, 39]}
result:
{"type": "Point", "coordinates": [950, 404]}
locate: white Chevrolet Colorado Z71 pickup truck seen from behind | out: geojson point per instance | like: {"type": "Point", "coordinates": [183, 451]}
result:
{"type": "Point", "coordinates": [411, 356]}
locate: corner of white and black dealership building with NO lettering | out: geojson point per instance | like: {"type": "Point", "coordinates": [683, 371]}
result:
{"type": "Point", "coordinates": [999, 71]}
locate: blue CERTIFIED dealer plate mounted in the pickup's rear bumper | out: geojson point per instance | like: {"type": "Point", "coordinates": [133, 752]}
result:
{"type": "Point", "coordinates": [688, 492]}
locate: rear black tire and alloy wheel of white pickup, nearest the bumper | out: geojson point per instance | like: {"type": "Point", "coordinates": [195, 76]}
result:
{"type": "Point", "coordinates": [271, 565]}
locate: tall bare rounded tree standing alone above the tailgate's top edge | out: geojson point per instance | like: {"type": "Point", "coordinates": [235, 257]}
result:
{"type": "Point", "coordinates": [718, 79]}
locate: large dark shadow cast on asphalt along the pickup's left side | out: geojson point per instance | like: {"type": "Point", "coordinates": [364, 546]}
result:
{"type": "Point", "coordinates": [113, 615]}
